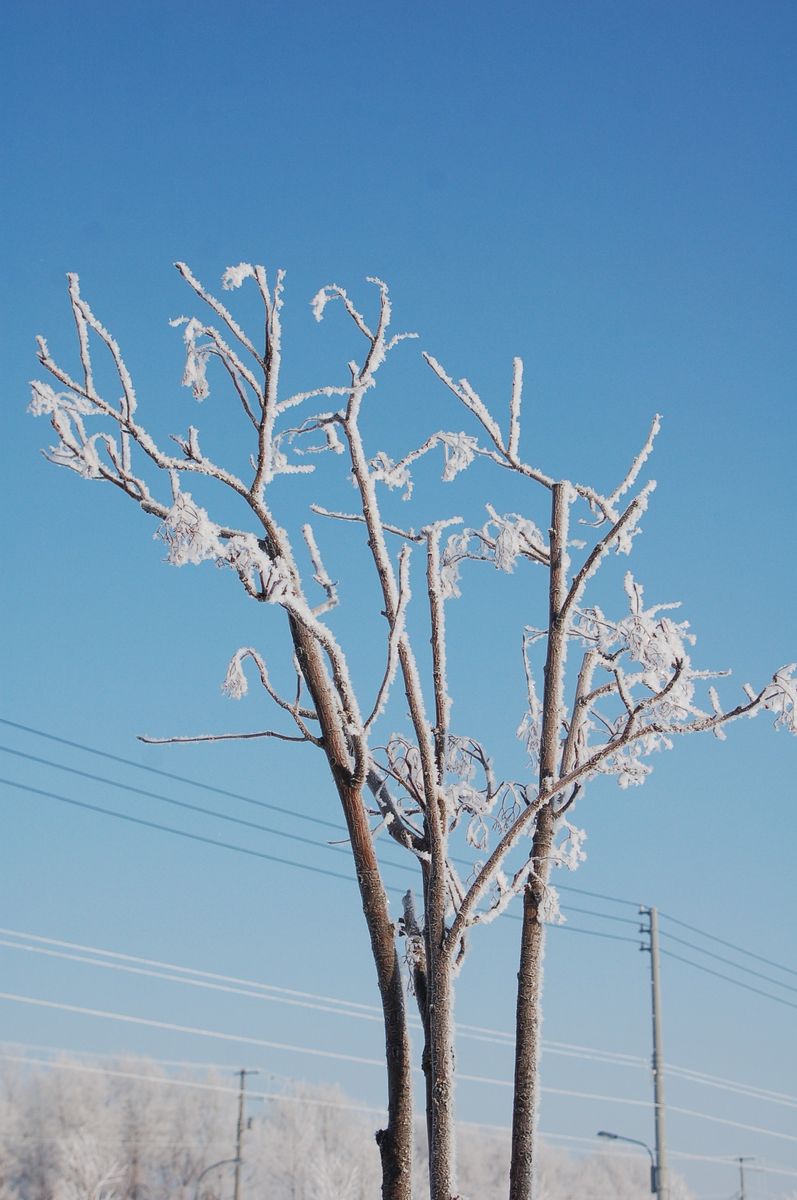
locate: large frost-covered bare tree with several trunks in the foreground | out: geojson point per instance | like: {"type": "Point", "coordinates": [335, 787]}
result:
{"type": "Point", "coordinates": [603, 692]}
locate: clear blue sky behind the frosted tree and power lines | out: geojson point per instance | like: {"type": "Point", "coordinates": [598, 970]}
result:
{"type": "Point", "coordinates": [607, 190]}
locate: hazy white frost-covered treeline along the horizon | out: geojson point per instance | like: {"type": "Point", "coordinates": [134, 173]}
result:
{"type": "Point", "coordinates": [130, 1131]}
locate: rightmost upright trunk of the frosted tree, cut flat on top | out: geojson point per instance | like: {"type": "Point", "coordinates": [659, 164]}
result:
{"type": "Point", "coordinates": [530, 976]}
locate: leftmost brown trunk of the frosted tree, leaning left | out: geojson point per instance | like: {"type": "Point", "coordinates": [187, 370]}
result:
{"type": "Point", "coordinates": [397, 1141]}
